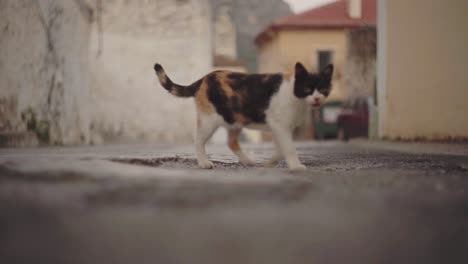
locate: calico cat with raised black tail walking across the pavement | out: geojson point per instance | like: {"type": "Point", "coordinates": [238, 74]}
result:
{"type": "Point", "coordinates": [273, 102]}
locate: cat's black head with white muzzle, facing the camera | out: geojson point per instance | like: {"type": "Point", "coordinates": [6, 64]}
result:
{"type": "Point", "coordinates": [314, 87]}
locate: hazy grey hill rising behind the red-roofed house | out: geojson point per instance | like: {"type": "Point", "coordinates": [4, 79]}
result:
{"type": "Point", "coordinates": [250, 17]}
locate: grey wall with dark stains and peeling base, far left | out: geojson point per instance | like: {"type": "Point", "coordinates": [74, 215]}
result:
{"type": "Point", "coordinates": [43, 68]}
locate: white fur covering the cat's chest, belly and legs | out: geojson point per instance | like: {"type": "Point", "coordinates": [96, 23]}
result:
{"type": "Point", "coordinates": [283, 115]}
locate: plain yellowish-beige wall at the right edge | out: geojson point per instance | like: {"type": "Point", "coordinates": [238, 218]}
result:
{"type": "Point", "coordinates": [423, 81]}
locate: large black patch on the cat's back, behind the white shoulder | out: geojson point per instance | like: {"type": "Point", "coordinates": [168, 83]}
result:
{"type": "Point", "coordinates": [254, 92]}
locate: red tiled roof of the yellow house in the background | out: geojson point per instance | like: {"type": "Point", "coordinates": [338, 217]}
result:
{"type": "Point", "coordinates": [331, 16]}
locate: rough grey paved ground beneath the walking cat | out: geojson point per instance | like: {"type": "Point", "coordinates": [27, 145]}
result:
{"type": "Point", "coordinates": [357, 203]}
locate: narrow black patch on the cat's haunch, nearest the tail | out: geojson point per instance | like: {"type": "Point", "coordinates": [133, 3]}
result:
{"type": "Point", "coordinates": [219, 99]}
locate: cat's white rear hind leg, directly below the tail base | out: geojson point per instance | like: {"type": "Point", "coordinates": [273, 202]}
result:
{"type": "Point", "coordinates": [206, 126]}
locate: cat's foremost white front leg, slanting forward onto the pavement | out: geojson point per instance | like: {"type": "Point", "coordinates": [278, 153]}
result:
{"type": "Point", "coordinates": [283, 138]}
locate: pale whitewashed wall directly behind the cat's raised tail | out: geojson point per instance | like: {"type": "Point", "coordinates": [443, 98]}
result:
{"type": "Point", "coordinates": [130, 103]}
